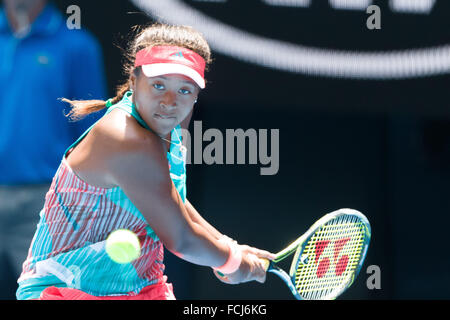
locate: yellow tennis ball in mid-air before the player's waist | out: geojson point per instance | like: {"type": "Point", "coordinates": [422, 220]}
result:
{"type": "Point", "coordinates": [123, 246]}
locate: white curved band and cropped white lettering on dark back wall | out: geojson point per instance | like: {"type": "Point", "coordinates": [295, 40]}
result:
{"type": "Point", "coordinates": [290, 57]}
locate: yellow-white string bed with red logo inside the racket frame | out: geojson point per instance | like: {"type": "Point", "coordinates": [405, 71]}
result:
{"type": "Point", "coordinates": [333, 252]}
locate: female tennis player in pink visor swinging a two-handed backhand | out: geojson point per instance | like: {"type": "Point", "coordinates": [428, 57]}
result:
{"type": "Point", "coordinates": [127, 171]}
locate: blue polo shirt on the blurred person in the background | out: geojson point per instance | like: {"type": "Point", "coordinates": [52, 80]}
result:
{"type": "Point", "coordinates": [49, 63]}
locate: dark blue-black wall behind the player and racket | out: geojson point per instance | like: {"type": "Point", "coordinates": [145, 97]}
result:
{"type": "Point", "coordinates": [378, 146]}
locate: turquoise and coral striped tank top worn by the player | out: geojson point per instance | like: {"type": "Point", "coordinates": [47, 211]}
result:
{"type": "Point", "coordinates": [68, 247]}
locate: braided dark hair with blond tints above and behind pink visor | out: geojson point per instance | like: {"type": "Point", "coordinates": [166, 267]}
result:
{"type": "Point", "coordinates": [145, 37]}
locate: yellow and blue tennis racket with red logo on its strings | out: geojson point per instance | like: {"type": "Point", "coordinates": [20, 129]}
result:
{"type": "Point", "coordinates": [328, 257]}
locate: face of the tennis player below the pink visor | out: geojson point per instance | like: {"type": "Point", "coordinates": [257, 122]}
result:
{"type": "Point", "coordinates": [164, 101]}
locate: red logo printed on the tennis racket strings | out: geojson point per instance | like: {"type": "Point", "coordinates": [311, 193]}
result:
{"type": "Point", "coordinates": [324, 264]}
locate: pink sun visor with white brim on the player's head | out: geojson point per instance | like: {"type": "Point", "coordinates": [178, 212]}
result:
{"type": "Point", "coordinates": [159, 60]}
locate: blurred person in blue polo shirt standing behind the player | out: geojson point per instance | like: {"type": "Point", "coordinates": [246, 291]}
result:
{"type": "Point", "coordinates": [41, 60]}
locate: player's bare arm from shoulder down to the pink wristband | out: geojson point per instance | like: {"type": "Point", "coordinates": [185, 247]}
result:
{"type": "Point", "coordinates": [140, 169]}
